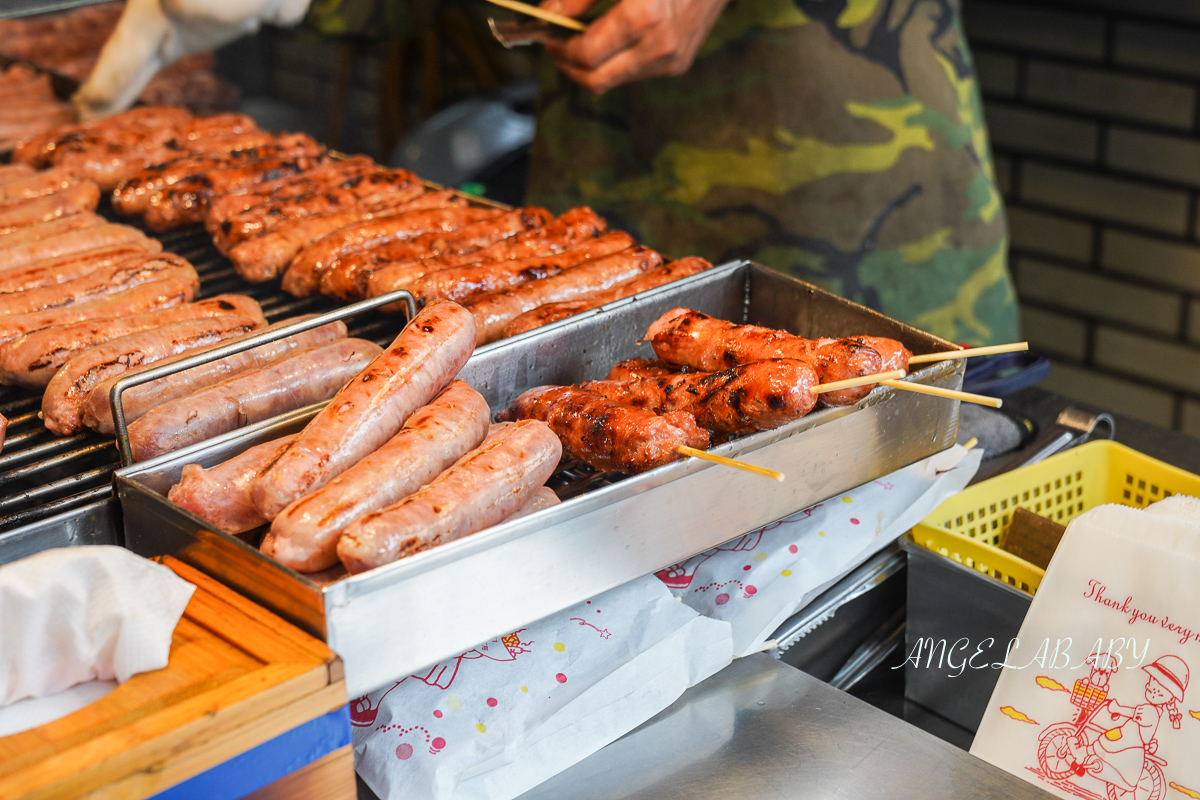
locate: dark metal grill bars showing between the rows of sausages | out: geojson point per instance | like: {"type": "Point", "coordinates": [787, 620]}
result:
{"type": "Point", "coordinates": [43, 474]}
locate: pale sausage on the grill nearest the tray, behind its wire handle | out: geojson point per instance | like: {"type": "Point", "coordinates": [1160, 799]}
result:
{"type": "Point", "coordinates": [302, 380]}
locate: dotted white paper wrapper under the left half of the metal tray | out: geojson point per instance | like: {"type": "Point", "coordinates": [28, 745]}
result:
{"type": "Point", "coordinates": [514, 712]}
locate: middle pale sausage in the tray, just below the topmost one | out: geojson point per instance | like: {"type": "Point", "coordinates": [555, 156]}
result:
{"type": "Point", "coordinates": [305, 534]}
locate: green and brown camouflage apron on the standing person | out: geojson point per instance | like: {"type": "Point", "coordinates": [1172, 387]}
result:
{"type": "Point", "coordinates": [839, 141]}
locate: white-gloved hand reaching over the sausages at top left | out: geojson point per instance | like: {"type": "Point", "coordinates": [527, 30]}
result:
{"type": "Point", "coordinates": [154, 34]}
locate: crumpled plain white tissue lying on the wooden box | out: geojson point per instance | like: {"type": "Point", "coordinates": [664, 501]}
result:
{"type": "Point", "coordinates": [80, 615]}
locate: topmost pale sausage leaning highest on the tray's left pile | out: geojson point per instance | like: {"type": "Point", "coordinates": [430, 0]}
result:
{"type": "Point", "coordinates": [371, 410]}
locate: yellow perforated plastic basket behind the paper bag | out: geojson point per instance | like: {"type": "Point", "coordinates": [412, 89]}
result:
{"type": "Point", "coordinates": [968, 527]}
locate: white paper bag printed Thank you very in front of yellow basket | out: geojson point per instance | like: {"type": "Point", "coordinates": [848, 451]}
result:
{"type": "Point", "coordinates": [1095, 700]}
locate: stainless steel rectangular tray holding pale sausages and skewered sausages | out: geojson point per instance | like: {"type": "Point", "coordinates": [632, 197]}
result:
{"type": "Point", "coordinates": [393, 621]}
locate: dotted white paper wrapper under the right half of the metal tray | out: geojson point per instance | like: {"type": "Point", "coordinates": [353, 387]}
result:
{"type": "Point", "coordinates": [758, 581]}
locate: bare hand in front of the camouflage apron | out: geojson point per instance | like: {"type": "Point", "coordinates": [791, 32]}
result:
{"type": "Point", "coordinates": [634, 40]}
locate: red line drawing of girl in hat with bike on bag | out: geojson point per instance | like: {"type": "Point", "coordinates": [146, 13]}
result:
{"type": "Point", "coordinates": [1108, 751]}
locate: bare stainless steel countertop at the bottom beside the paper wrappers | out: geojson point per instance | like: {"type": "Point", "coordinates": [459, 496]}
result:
{"type": "Point", "coordinates": [764, 730]}
